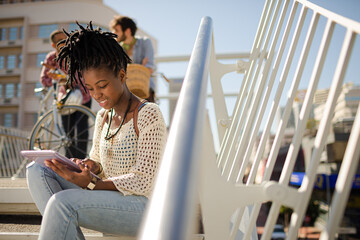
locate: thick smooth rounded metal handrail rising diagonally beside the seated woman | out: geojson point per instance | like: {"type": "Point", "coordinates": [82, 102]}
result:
{"type": "Point", "coordinates": [169, 213]}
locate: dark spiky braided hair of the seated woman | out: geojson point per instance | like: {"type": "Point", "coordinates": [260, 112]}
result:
{"type": "Point", "coordinates": [87, 48]}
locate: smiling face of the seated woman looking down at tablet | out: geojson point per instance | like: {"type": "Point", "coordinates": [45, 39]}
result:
{"type": "Point", "coordinates": [106, 88]}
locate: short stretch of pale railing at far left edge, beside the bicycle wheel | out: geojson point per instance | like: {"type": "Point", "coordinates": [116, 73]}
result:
{"type": "Point", "coordinates": [12, 141]}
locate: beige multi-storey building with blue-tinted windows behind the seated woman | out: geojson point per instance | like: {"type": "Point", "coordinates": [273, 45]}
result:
{"type": "Point", "coordinates": [25, 26]}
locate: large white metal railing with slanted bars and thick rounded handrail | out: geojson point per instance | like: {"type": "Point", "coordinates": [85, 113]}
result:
{"type": "Point", "coordinates": [230, 197]}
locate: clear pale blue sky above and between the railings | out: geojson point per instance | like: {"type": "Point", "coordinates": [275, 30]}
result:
{"type": "Point", "coordinates": [175, 24]}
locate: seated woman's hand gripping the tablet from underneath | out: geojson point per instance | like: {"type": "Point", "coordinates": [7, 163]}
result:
{"type": "Point", "coordinates": [82, 179]}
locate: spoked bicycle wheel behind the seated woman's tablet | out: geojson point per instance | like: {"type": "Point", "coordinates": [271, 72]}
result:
{"type": "Point", "coordinates": [77, 124]}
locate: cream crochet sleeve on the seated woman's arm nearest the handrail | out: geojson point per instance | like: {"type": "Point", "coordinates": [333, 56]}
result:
{"type": "Point", "coordinates": [150, 146]}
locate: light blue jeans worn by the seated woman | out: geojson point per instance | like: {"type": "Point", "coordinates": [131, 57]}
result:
{"type": "Point", "coordinates": [65, 207]}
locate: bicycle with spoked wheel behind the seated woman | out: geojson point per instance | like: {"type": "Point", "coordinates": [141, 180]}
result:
{"type": "Point", "coordinates": [49, 132]}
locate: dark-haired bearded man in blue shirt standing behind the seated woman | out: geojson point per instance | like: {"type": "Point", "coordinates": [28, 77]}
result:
{"type": "Point", "coordinates": [139, 49]}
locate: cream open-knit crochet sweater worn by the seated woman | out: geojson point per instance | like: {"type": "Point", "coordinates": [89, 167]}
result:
{"type": "Point", "coordinates": [131, 162]}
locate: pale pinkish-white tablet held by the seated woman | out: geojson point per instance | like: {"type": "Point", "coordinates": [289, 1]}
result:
{"type": "Point", "coordinates": [40, 156]}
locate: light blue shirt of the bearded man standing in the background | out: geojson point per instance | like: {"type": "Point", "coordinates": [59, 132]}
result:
{"type": "Point", "coordinates": [143, 48]}
